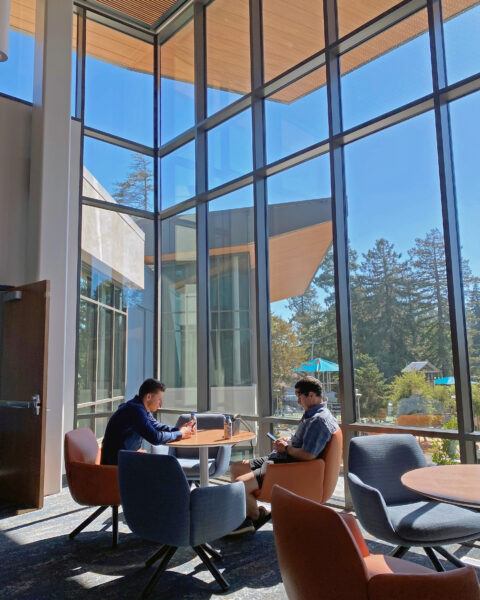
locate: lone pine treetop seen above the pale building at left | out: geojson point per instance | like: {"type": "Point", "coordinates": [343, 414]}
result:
{"type": "Point", "coordinates": [135, 191]}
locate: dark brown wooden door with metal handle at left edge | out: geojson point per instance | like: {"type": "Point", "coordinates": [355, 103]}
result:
{"type": "Point", "coordinates": [23, 382]}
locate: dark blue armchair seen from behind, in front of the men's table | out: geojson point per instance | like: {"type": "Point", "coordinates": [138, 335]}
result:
{"type": "Point", "coordinates": [158, 506]}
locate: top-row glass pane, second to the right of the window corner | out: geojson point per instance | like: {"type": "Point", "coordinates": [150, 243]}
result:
{"type": "Point", "coordinates": [228, 53]}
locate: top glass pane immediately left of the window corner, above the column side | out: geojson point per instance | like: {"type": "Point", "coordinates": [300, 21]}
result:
{"type": "Point", "coordinates": [119, 84]}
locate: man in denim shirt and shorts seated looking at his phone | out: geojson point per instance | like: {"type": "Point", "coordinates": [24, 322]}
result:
{"type": "Point", "coordinates": [307, 443]}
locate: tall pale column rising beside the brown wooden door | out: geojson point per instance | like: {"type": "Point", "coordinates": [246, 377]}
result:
{"type": "Point", "coordinates": [51, 222]}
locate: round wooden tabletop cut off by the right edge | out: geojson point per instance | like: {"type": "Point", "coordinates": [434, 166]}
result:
{"type": "Point", "coordinates": [455, 484]}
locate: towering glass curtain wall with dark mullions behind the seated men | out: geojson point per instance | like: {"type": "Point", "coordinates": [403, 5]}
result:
{"type": "Point", "coordinates": [304, 224]}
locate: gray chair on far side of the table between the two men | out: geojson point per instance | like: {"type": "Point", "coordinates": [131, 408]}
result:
{"type": "Point", "coordinates": [218, 458]}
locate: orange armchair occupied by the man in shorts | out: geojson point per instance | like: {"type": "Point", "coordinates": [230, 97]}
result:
{"type": "Point", "coordinates": [314, 479]}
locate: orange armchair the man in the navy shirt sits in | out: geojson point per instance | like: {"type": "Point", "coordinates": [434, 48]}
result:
{"type": "Point", "coordinates": [90, 483]}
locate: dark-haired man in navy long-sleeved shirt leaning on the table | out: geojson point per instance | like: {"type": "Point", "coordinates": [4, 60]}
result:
{"type": "Point", "coordinates": [133, 422]}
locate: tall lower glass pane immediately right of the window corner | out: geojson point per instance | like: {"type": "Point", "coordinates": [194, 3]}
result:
{"type": "Point", "coordinates": [179, 311]}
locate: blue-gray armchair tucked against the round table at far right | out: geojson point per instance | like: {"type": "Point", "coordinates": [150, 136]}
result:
{"type": "Point", "coordinates": [393, 513]}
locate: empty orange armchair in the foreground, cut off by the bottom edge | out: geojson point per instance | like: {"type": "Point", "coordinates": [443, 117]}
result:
{"type": "Point", "coordinates": [322, 553]}
